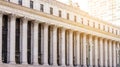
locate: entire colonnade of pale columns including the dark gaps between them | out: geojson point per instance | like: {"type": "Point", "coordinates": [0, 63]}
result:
{"type": "Point", "coordinates": [44, 44]}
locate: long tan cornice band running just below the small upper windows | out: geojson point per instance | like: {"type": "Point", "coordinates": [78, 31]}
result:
{"type": "Point", "coordinates": [35, 12]}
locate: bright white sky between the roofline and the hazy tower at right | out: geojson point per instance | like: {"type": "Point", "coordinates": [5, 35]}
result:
{"type": "Point", "coordinates": [82, 3]}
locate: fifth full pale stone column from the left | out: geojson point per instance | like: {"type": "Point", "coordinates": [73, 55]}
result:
{"type": "Point", "coordinates": [55, 45]}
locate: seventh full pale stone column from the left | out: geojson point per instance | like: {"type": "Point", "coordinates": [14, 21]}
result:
{"type": "Point", "coordinates": [71, 47]}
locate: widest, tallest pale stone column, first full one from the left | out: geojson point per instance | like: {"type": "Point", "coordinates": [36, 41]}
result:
{"type": "Point", "coordinates": [12, 28]}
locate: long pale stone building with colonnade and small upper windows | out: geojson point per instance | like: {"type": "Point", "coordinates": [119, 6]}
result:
{"type": "Point", "coordinates": [47, 33]}
